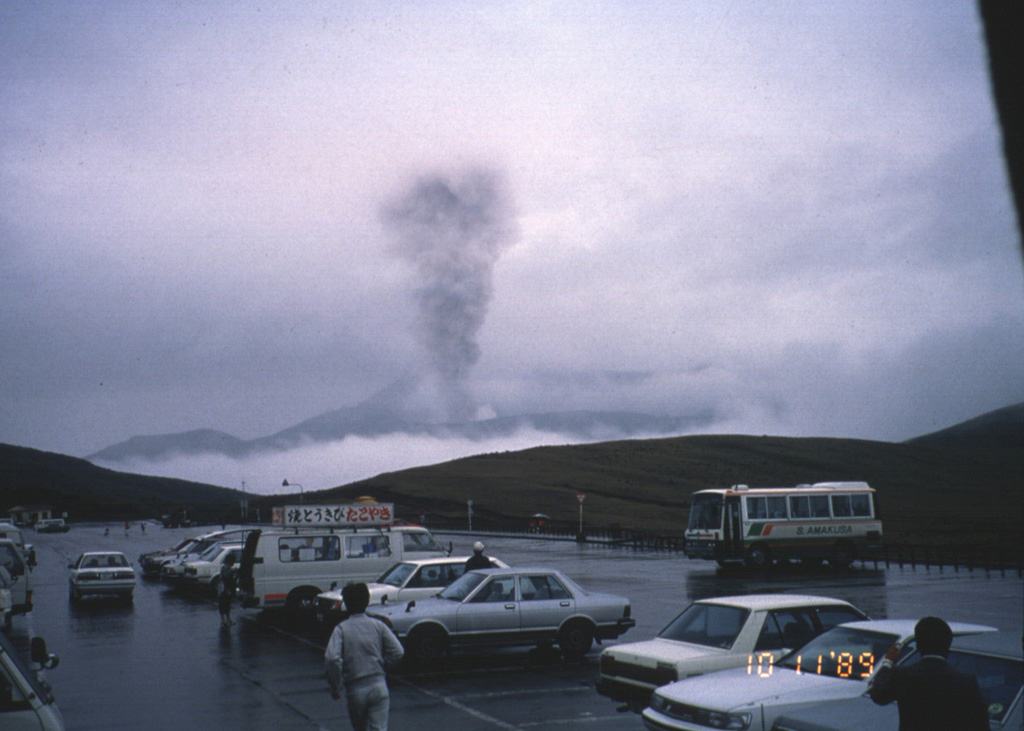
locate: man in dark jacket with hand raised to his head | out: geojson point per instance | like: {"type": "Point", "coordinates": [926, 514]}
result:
{"type": "Point", "coordinates": [931, 695]}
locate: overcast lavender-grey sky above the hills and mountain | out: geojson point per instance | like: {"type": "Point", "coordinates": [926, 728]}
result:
{"type": "Point", "coordinates": [795, 216]}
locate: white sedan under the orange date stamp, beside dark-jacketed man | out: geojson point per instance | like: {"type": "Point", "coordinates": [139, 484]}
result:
{"type": "Point", "coordinates": [833, 667]}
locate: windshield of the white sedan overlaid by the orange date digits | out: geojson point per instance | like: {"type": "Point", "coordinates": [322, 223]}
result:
{"type": "Point", "coordinates": [841, 653]}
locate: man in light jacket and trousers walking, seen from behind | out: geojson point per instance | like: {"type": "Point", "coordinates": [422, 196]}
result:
{"type": "Point", "coordinates": [360, 650]}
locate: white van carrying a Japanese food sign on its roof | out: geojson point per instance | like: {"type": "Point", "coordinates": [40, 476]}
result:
{"type": "Point", "coordinates": [290, 567]}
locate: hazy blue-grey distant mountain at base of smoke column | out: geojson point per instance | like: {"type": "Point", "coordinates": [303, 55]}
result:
{"type": "Point", "coordinates": [389, 413]}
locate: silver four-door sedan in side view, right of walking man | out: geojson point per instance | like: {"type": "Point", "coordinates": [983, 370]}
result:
{"type": "Point", "coordinates": [508, 607]}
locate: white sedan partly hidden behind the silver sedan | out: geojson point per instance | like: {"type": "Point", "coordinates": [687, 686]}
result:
{"type": "Point", "coordinates": [404, 582]}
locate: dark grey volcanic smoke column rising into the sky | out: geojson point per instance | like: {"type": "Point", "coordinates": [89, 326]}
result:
{"type": "Point", "coordinates": [453, 231]}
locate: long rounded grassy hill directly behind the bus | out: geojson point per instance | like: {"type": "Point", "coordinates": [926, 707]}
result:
{"type": "Point", "coordinates": [928, 494]}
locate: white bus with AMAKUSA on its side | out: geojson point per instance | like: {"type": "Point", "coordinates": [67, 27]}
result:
{"type": "Point", "coordinates": [758, 526]}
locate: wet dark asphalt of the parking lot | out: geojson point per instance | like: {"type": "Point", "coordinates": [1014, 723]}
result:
{"type": "Point", "coordinates": [166, 663]}
